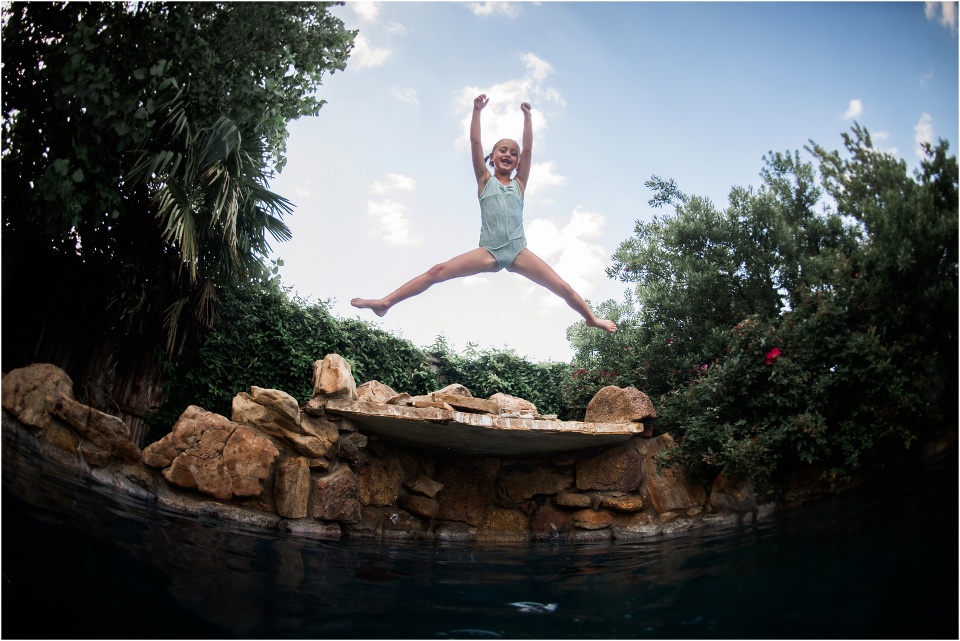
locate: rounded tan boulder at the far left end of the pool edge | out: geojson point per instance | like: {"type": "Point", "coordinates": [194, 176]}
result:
{"type": "Point", "coordinates": [30, 393]}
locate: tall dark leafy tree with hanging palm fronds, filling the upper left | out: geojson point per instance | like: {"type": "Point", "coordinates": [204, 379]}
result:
{"type": "Point", "coordinates": [138, 143]}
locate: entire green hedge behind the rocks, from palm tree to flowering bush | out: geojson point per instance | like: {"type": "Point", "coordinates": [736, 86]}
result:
{"type": "Point", "coordinates": [267, 338]}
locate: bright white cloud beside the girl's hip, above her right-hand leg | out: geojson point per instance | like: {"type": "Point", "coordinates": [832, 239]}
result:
{"type": "Point", "coordinates": [571, 250]}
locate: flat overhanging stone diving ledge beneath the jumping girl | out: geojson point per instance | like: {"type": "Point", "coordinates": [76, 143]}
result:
{"type": "Point", "coordinates": [469, 433]}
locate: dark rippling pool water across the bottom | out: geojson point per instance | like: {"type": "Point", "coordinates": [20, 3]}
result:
{"type": "Point", "coordinates": [867, 564]}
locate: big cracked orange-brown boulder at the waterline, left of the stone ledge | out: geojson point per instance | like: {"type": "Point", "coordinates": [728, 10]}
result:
{"type": "Point", "coordinates": [209, 453]}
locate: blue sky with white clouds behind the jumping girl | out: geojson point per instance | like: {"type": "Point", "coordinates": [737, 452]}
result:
{"type": "Point", "coordinates": [383, 185]}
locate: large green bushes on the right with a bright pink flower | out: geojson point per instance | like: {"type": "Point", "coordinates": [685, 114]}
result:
{"type": "Point", "coordinates": [773, 336]}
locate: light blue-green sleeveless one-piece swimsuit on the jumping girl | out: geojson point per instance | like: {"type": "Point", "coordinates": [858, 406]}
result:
{"type": "Point", "coordinates": [501, 221]}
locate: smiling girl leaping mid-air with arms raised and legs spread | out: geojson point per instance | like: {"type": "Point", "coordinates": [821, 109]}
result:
{"type": "Point", "coordinates": [502, 242]}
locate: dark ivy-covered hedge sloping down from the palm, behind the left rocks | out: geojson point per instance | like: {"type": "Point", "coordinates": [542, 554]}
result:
{"type": "Point", "coordinates": [266, 338]}
